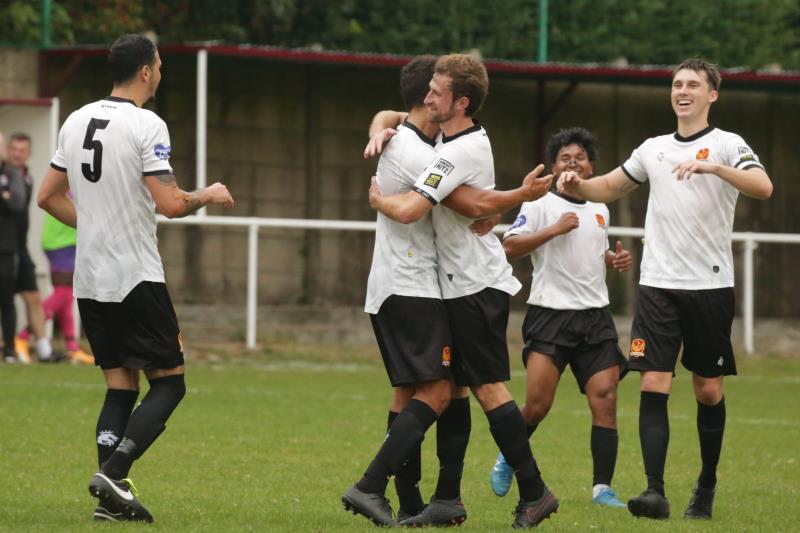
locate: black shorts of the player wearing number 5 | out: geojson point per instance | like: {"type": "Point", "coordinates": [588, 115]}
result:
{"type": "Point", "coordinates": [140, 332]}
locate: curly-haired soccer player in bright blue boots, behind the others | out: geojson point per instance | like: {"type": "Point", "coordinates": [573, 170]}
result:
{"type": "Point", "coordinates": [568, 321]}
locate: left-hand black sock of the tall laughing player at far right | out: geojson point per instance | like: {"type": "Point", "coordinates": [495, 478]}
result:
{"type": "Point", "coordinates": [654, 436]}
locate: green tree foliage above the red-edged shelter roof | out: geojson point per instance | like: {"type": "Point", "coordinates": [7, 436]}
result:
{"type": "Point", "coordinates": [748, 33]}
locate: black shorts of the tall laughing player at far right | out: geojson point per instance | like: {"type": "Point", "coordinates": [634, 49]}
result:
{"type": "Point", "coordinates": [699, 319]}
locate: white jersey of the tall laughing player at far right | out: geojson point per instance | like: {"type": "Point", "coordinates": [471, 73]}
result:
{"type": "Point", "coordinates": [687, 241]}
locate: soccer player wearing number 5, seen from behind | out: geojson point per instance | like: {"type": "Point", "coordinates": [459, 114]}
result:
{"type": "Point", "coordinates": [114, 157]}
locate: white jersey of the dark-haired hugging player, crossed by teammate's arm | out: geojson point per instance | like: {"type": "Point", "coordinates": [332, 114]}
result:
{"type": "Point", "coordinates": [404, 257]}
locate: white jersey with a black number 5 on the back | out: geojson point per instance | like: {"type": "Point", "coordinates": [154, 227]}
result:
{"type": "Point", "coordinates": [106, 148]}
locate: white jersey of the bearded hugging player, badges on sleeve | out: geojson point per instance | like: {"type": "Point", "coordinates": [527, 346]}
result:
{"type": "Point", "coordinates": [467, 263]}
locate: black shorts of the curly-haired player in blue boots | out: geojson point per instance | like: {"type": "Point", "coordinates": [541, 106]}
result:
{"type": "Point", "coordinates": [585, 339]}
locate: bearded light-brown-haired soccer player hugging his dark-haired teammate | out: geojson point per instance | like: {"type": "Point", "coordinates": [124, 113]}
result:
{"type": "Point", "coordinates": [474, 276]}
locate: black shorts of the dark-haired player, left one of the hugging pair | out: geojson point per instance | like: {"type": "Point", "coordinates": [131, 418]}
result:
{"type": "Point", "coordinates": [413, 335]}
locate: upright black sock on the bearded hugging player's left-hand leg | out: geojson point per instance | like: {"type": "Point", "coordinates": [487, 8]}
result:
{"type": "Point", "coordinates": [452, 436]}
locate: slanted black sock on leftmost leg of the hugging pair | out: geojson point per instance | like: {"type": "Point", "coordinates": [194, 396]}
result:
{"type": "Point", "coordinates": [407, 431]}
